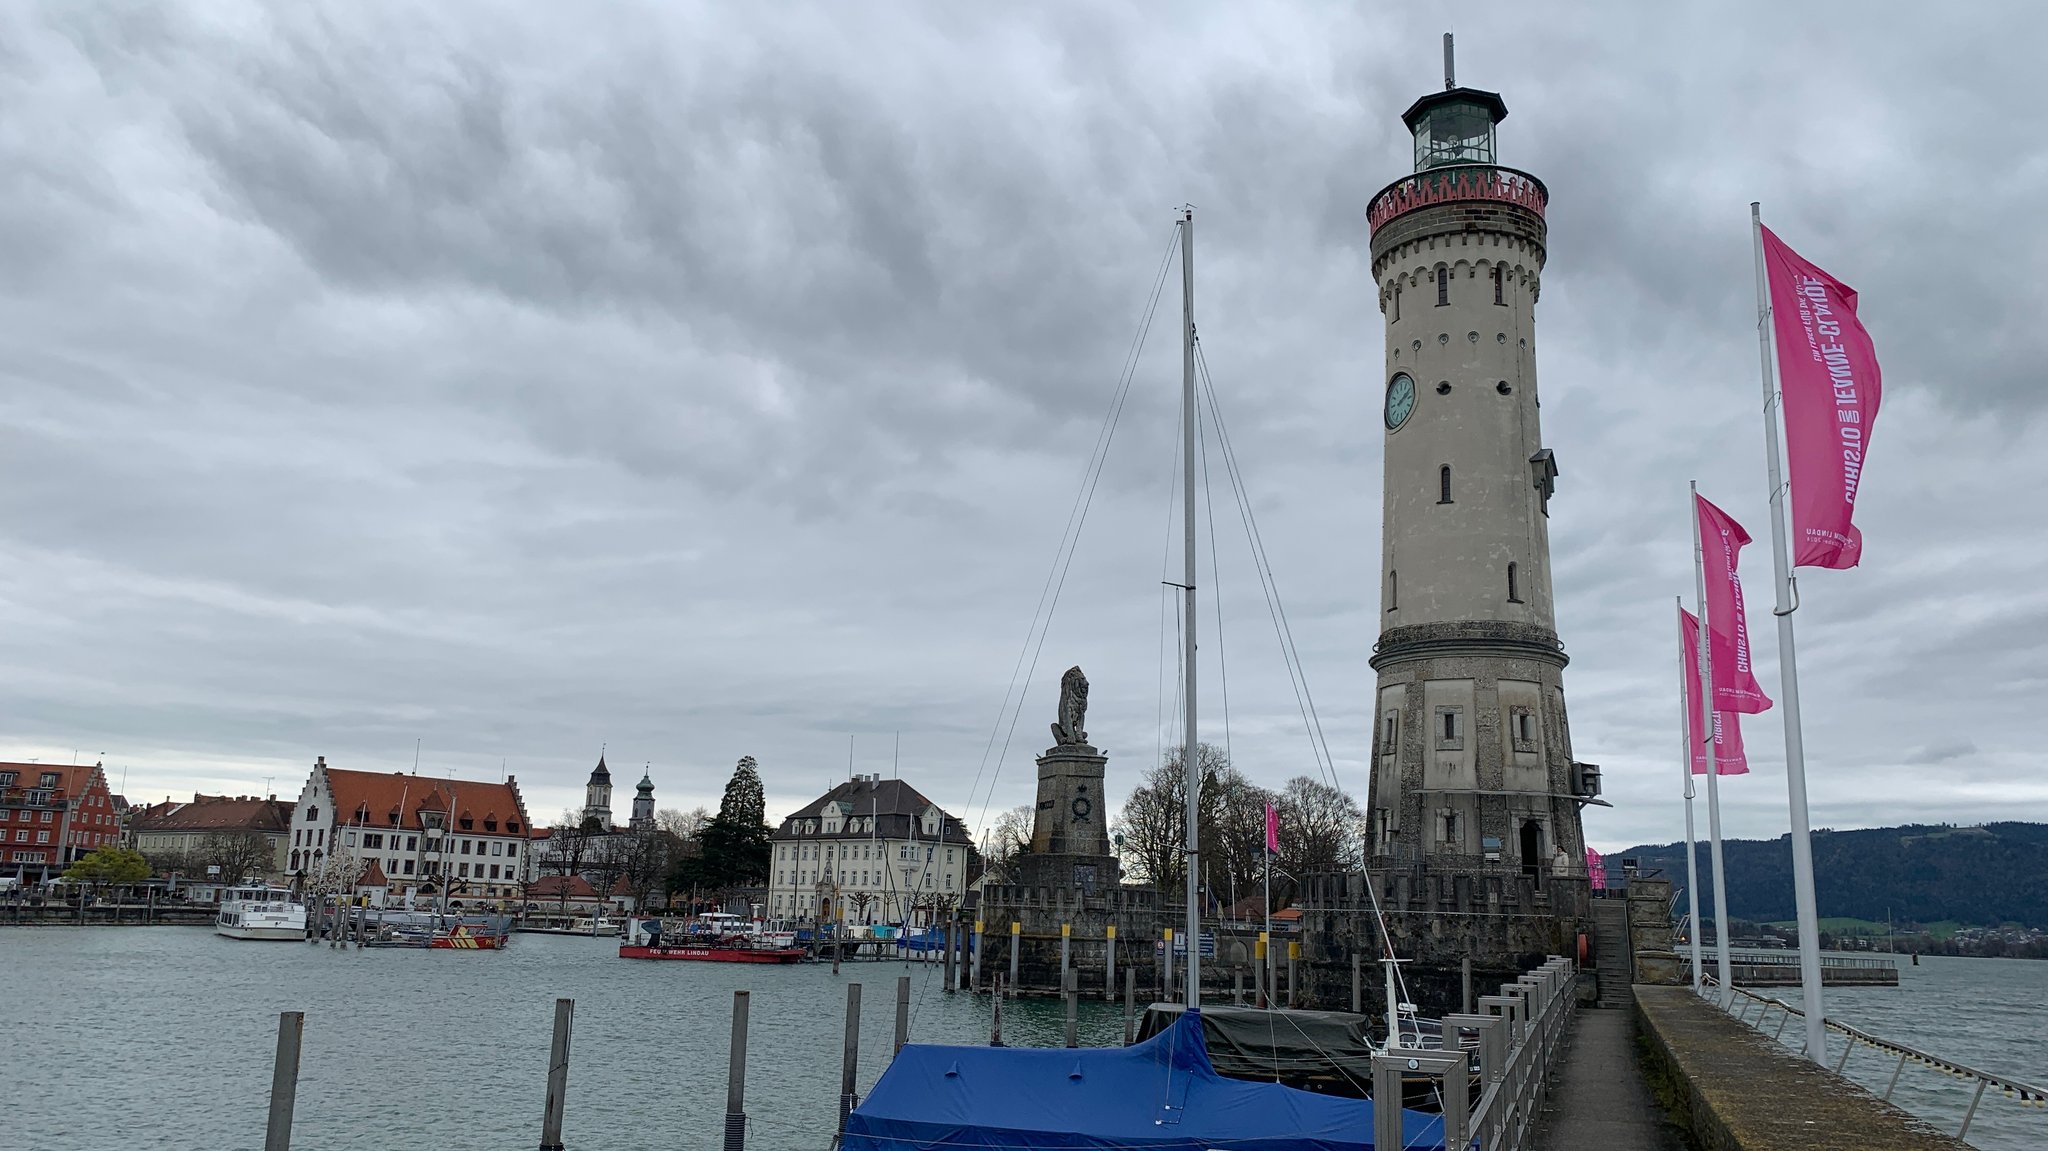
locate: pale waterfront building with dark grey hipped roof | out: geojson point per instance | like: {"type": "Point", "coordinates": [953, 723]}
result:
{"type": "Point", "coordinates": [869, 851]}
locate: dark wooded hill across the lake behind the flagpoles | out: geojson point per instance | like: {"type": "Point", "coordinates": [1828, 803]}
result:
{"type": "Point", "coordinates": [1988, 876]}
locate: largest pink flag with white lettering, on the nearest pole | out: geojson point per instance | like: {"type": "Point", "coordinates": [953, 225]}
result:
{"type": "Point", "coordinates": [1828, 372]}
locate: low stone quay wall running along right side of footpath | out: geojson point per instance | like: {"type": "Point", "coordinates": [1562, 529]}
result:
{"type": "Point", "coordinates": [1738, 1091]}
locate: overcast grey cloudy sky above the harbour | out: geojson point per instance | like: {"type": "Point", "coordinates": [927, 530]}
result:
{"type": "Point", "coordinates": [703, 382]}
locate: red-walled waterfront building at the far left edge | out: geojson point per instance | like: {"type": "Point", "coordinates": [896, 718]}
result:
{"type": "Point", "coordinates": [52, 816]}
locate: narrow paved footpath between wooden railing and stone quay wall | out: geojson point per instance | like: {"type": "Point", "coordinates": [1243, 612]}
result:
{"type": "Point", "coordinates": [1598, 1099]}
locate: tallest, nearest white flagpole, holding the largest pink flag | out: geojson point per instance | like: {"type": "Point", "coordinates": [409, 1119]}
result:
{"type": "Point", "coordinates": [1809, 916]}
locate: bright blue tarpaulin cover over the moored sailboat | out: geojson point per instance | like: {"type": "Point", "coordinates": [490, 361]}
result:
{"type": "Point", "coordinates": [1156, 1095]}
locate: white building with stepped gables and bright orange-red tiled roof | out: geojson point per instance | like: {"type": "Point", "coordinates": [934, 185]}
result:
{"type": "Point", "coordinates": [423, 833]}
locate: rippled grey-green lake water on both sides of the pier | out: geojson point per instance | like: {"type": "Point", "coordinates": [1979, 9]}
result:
{"type": "Point", "coordinates": [163, 1037]}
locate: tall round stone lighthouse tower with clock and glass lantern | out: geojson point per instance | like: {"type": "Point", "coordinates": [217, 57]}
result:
{"type": "Point", "coordinates": [1471, 757]}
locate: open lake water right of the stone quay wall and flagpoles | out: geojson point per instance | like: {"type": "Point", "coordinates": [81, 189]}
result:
{"type": "Point", "coordinates": [1981, 1013]}
